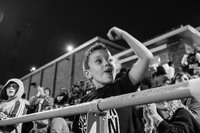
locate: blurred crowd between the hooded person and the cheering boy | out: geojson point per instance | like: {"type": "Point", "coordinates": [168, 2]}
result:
{"type": "Point", "coordinates": [42, 101]}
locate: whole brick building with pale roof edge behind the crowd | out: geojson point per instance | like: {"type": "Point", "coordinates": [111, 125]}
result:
{"type": "Point", "coordinates": [67, 69]}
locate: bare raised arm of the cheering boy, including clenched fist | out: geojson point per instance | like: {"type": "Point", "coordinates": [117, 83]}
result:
{"type": "Point", "coordinates": [139, 69]}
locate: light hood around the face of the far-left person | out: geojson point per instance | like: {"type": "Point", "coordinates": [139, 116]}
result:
{"type": "Point", "coordinates": [19, 92]}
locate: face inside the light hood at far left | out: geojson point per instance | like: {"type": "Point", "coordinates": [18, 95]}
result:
{"type": "Point", "coordinates": [12, 89]}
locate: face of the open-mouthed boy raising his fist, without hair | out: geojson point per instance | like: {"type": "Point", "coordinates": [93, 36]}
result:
{"type": "Point", "coordinates": [102, 68]}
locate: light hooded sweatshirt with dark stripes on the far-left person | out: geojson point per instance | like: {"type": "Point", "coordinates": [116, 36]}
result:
{"type": "Point", "coordinates": [12, 107]}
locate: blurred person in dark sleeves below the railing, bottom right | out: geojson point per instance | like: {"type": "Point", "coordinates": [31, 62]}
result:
{"type": "Point", "coordinates": [170, 117]}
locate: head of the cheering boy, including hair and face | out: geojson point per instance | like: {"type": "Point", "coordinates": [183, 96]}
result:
{"type": "Point", "coordinates": [98, 65]}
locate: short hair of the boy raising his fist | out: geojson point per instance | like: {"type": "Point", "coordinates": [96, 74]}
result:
{"type": "Point", "coordinates": [96, 46]}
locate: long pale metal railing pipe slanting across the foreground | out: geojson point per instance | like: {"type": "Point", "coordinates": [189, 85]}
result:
{"type": "Point", "coordinates": [190, 88]}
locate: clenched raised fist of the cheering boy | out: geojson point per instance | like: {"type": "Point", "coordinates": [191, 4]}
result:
{"type": "Point", "coordinates": [114, 33]}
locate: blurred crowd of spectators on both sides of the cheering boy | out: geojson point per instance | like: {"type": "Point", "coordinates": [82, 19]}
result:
{"type": "Point", "coordinates": [154, 117]}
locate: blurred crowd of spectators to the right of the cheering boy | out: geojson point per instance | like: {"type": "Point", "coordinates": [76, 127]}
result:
{"type": "Point", "coordinates": [180, 115]}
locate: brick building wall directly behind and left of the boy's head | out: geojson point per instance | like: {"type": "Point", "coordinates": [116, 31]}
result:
{"type": "Point", "coordinates": [64, 72]}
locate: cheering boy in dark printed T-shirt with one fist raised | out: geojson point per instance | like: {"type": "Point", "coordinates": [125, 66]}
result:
{"type": "Point", "coordinates": [99, 68]}
